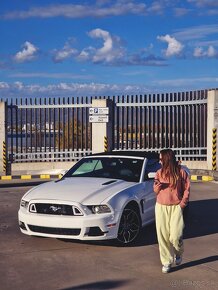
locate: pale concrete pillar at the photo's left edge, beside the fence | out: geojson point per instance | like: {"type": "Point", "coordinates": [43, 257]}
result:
{"type": "Point", "coordinates": [3, 139]}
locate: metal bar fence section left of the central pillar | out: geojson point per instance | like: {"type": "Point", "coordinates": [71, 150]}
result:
{"type": "Point", "coordinates": [54, 127]}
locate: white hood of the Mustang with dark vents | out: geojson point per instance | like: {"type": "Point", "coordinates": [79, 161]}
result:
{"type": "Point", "coordinates": [83, 190]}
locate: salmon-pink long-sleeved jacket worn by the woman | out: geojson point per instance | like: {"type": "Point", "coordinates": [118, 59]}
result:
{"type": "Point", "coordinates": [168, 195]}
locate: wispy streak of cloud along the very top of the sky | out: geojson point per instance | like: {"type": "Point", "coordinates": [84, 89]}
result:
{"type": "Point", "coordinates": [116, 8]}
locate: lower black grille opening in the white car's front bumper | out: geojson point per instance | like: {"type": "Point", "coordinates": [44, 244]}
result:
{"type": "Point", "coordinates": [54, 231]}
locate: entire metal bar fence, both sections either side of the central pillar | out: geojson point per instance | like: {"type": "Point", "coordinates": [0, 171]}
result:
{"type": "Point", "coordinates": [59, 129]}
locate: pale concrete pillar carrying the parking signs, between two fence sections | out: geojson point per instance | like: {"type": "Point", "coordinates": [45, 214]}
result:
{"type": "Point", "coordinates": [102, 131]}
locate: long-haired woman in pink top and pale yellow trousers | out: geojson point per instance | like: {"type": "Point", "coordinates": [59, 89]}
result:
{"type": "Point", "coordinates": [172, 186]}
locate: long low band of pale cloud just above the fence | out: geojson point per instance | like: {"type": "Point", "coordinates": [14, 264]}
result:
{"type": "Point", "coordinates": [63, 89]}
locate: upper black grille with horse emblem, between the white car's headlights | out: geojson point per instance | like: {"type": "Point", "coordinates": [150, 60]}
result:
{"type": "Point", "coordinates": [55, 209]}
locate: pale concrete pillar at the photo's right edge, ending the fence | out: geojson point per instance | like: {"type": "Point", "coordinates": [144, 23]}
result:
{"type": "Point", "coordinates": [212, 123]}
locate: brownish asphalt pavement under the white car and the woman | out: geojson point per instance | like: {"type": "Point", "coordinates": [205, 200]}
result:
{"type": "Point", "coordinates": [28, 262]}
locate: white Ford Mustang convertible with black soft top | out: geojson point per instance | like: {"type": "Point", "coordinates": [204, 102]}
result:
{"type": "Point", "coordinates": [103, 196]}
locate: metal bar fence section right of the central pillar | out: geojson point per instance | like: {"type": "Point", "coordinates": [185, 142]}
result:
{"type": "Point", "coordinates": [155, 121]}
